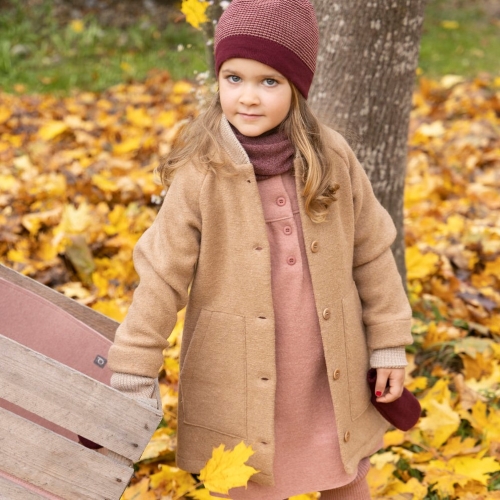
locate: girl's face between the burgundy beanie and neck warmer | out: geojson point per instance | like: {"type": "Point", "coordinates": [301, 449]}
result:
{"type": "Point", "coordinates": [254, 97]}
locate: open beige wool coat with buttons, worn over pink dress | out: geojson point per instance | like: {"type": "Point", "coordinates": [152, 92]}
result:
{"type": "Point", "coordinates": [211, 233]}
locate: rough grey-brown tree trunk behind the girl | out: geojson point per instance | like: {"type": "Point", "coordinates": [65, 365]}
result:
{"type": "Point", "coordinates": [363, 87]}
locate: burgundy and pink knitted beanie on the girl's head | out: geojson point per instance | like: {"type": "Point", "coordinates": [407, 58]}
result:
{"type": "Point", "coordinates": [282, 34]}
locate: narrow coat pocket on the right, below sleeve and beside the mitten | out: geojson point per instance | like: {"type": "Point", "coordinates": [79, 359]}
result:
{"type": "Point", "coordinates": [358, 359]}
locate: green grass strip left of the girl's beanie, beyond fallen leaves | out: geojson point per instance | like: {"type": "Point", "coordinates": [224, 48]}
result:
{"type": "Point", "coordinates": [39, 55]}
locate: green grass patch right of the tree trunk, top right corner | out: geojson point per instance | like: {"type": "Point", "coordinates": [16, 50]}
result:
{"type": "Point", "coordinates": [459, 38]}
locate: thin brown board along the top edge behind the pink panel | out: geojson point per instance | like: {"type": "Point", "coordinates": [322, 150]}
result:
{"type": "Point", "coordinates": [102, 324]}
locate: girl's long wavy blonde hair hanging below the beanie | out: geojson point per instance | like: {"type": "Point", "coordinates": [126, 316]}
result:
{"type": "Point", "coordinates": [199, 142]}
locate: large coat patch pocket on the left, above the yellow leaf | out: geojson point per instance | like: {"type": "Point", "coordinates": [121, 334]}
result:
{"type": "Point", "coordinates": [213, 375]}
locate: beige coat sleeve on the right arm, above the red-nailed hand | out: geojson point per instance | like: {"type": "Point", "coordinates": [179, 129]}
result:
{"type": "Point", "coordinates": [386, 310]}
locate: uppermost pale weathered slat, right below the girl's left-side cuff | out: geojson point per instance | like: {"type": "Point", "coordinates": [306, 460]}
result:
{"type": "Point", "coordinates": [74, 401]}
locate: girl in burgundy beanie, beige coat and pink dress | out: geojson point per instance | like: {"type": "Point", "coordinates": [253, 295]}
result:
{"type": "Point", "coordinates": [294, 291]}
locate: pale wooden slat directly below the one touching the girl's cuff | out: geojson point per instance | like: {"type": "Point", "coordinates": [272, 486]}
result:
{"type": "Point", "coordinates": [56, 464]}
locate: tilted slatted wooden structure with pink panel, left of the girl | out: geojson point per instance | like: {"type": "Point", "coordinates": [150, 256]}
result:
{"type": "Point", "coordinates": [54, 387]}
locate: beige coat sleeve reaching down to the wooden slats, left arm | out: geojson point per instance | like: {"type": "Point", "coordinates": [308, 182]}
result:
{"type": "Point", "coordinates": [165, 258]}
